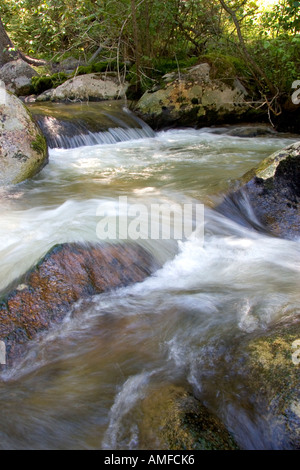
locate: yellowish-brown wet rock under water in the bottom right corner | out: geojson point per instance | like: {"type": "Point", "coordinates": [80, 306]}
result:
{"type": "Point", "coordinates": [268, 366]}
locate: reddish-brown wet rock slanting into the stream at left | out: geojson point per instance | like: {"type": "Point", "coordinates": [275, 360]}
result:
{"type": "Point", "coordinates": [68, 273]}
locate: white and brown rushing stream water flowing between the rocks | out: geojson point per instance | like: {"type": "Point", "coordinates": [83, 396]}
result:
{"type": "Point", "coordinates": [82, 385]}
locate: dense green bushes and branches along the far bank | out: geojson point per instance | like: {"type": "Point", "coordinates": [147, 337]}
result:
{"type": "Point", "coordinates": [256, 40]}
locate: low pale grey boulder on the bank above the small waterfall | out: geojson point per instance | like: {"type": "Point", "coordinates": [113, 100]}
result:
{"type": "Point", "coordinates": [89, 87]}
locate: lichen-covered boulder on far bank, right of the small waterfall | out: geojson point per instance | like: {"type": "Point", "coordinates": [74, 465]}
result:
{"type": "Point", "coordinates": [193, 98]}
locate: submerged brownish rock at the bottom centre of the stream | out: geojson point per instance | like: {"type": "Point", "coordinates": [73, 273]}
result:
{"type": "Point", "coordinates": [175, 420]}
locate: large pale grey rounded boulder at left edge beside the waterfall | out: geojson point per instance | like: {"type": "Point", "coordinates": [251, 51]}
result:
{"type": "Point", "coordinates": [23, 148]}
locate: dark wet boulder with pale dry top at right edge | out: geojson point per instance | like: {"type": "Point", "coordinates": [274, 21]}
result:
{"type": "Point", "coordinates": [272, 190]}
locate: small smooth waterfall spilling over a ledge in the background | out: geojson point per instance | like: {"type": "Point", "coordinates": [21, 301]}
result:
{"type": "Point", "coordinates": [88, 124]}
